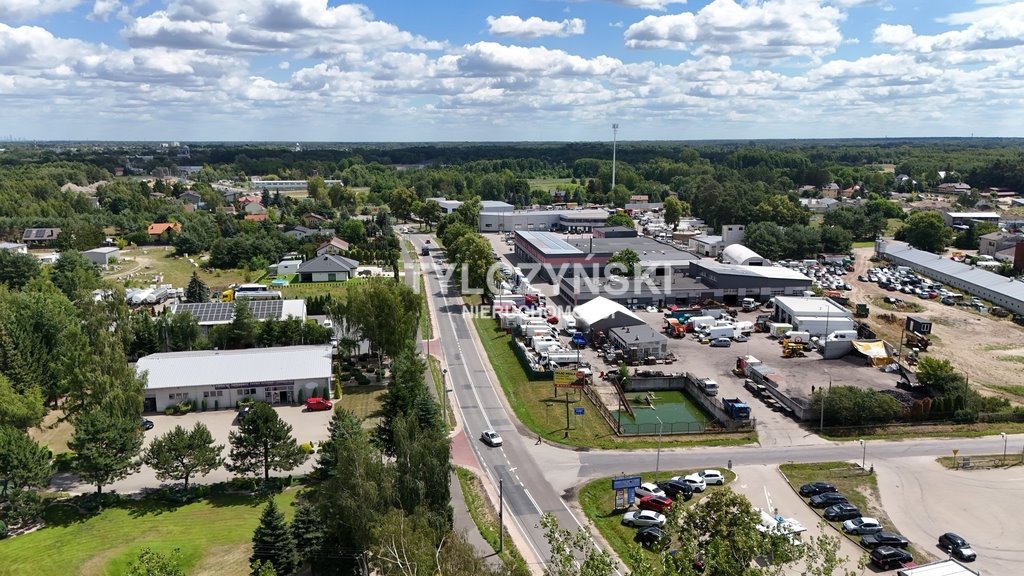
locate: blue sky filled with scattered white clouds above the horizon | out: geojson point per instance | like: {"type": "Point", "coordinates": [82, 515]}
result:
{"type": "Point", "coordinates": [501, 70]}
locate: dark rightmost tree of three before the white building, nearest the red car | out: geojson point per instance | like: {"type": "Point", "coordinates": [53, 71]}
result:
{"type": "Point", "coordinates": [264, 443]}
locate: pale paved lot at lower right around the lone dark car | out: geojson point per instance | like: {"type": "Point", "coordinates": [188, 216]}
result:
{"type": "Point", "coordinates": [925, 500]}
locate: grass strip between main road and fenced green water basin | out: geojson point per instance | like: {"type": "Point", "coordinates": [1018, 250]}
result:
{"type": "Point", "coordinates": [537, 406]}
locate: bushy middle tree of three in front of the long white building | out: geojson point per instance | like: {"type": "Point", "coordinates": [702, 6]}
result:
{"type": "Point", "coordinates": [180, 455]}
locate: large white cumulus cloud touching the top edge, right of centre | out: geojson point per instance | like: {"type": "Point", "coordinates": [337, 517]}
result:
{"type": "Point", "coordinates": [764, 30]}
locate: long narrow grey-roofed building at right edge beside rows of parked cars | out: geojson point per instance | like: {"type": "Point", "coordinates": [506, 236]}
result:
{"type": "Point", "coordinates": [1000, 291]}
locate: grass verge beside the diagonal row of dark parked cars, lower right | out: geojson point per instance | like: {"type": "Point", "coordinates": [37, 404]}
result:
{"type": "Point", "coordinates": [860, 486]}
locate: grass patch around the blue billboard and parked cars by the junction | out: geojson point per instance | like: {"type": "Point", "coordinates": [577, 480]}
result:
{"type": "Point", "coordinates": [599, 503]}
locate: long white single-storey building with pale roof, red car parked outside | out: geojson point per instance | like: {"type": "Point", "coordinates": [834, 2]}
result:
{"type": "Point", "coordinates": [223, 379]}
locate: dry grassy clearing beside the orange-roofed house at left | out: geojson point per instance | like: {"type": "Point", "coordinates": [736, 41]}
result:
{"type": "Point", "coordinates": [148, 262]}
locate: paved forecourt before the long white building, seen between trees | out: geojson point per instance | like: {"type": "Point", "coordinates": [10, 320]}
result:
{"type": "Point", "coordinates": [307, 427]}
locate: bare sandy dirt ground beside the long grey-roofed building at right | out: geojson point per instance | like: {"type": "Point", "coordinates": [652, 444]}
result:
{"type": "Point", "coordinates": [972, 342]}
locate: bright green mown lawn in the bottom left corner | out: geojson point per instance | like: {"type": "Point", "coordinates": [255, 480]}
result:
{"type": "Point", "coordinates": [217, 532]}
